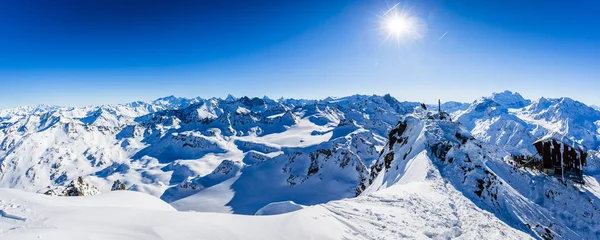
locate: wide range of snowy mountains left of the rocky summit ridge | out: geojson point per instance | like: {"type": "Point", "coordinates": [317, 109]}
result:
{"type": "Point", "coordinates": [185, 150]}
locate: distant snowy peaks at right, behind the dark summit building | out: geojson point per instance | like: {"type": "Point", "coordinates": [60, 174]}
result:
{"type": "Point", "coordinates": [507, 120]}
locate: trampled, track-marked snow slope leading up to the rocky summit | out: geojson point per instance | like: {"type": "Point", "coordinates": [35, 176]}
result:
{"type": "Point", "coordinates": [421, 206]}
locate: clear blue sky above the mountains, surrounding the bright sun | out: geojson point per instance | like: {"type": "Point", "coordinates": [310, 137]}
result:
{"type": "Point", "coordinates": [73, 52]}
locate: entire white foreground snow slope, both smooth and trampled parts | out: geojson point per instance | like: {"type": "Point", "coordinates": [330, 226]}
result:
{"type": "Point", "coordinates": [130, 215]}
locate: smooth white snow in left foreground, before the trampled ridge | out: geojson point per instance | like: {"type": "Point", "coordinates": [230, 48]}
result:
{"type": "Point", "coordinates": [129, 215]}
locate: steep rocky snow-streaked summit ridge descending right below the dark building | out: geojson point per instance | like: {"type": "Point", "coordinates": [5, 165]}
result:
{"type": "Point", "coordinates": [441, 152]}
